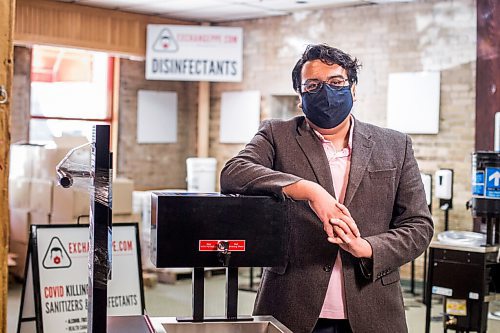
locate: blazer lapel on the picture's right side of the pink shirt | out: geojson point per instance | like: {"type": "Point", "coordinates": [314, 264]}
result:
{"type": "Point", "coordinates": [362, 147]}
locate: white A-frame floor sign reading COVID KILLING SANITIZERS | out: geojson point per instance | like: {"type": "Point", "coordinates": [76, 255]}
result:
{"type": "Point", "coordinates": [61, 277]}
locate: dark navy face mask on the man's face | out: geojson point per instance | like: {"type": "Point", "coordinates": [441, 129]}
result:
{"type": "Point", "coordinates": [328, 107]}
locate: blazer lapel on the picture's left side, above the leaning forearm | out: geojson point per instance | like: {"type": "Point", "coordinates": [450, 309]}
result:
{"type": "Point", "coordinates": [312, 148]}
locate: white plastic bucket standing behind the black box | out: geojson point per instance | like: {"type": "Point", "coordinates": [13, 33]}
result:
{"type": "Point", "coordinates": [201, 174]}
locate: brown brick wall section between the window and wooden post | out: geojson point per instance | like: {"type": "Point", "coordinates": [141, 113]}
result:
{"type": "Point", "coordinates": [154, 166]}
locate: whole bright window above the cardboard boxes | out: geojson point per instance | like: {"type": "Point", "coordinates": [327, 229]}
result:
{"type": "Point", "coordinates": [71, 90]}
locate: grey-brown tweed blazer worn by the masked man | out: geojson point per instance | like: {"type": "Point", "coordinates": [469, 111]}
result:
{"type": "Point", "coordinates": [385, 196]}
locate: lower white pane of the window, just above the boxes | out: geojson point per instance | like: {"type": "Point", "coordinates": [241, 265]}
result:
{"type": "Point", "coordinates": [44, 130]}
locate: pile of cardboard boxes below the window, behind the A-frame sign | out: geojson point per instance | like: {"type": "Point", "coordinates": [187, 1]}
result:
{"type": "Point", "coordinates": [35, 197]}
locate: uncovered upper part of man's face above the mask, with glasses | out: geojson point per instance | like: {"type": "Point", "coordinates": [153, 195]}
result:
{"type": "Point", "coordinates": [318, 70]}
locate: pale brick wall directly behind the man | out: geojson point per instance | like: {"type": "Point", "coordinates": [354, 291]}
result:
{"type": "Point", "coordinates": [406, 37]}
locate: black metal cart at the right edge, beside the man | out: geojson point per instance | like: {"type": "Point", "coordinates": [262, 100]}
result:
{"type": "Point", "coordinates": [468, 279]}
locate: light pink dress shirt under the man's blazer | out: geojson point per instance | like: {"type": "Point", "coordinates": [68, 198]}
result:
{"type": "Point", "coordinates": [340, 162]}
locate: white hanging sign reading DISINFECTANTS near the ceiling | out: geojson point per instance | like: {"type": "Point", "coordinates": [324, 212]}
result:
{"type": "Point", "coordinates": [194, 53]}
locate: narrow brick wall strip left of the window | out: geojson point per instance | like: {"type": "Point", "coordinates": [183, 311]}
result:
{"type": "Point", "coordinates": [21, 87]}
